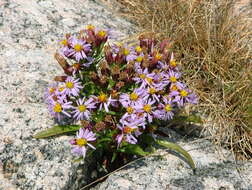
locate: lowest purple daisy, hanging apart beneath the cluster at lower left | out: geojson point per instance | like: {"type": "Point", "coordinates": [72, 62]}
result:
{"type": "Point", "coordinates": [83, 137]}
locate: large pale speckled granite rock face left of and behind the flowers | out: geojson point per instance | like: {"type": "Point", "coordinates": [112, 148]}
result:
{"type": "Point", "coordinates": [29, 33]}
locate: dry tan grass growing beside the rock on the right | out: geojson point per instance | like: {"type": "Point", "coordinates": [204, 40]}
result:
{"type": "Point", "coordinates": [213, 42]}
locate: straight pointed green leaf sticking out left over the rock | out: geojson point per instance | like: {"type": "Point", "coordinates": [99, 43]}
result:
{"type": "Point", "coordinates": [57, 130]}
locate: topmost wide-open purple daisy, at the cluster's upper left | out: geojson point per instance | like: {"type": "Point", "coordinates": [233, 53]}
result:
{"type": "Point", "coordinates": [79, 49]}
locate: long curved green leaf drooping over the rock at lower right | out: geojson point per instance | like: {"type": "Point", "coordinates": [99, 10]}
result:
{"type": "Point", "coordinates": [179, 149]}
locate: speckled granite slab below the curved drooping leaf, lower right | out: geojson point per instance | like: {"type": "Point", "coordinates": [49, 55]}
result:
{"type": "Point", "coordinates": [215, 171]}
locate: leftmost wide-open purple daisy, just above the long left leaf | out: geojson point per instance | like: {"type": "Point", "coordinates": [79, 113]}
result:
{"type": "Point", "coordinates": [59, 108]}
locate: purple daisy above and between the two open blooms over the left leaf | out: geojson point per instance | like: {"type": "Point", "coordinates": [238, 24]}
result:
{"type": "Point", "coordinates": [72, 86]}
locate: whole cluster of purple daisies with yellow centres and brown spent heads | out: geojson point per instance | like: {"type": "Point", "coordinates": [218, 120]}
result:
{"type": "Point", "coordinates": [115, 87]}
